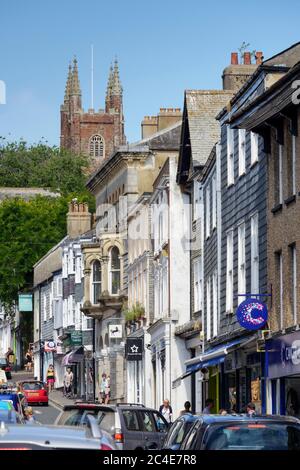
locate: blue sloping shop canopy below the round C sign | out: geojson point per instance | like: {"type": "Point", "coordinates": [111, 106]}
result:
{"type": "Point", "coordinates": [213, 356]}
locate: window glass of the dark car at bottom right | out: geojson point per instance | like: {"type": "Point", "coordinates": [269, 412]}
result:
{"type": "Point", "coordinates": [253, 436]}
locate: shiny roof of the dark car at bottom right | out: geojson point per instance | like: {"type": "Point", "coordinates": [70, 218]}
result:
{"type": "Point", "coordinates": [229, 418]}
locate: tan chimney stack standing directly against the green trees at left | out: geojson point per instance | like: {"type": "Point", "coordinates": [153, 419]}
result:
{"type": "Point", "coordinates": [79, 219]}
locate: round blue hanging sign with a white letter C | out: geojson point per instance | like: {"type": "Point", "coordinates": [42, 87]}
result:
{"type": "Point", "coordinates": [252, 314]}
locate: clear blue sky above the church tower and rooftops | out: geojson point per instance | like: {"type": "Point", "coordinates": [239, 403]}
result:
{"type": "Point", "coordinates": [163, 48]}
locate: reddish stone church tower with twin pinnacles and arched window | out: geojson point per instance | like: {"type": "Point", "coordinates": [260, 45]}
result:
{"type": "Point", "coordinates": [92, 133]}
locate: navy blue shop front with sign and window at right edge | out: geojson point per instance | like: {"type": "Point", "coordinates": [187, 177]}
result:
{"type": "Point", "coordinates": [283, 372]}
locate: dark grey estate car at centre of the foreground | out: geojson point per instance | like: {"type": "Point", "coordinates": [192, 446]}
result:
{"type": "Point", "coordinates": [131, 426]}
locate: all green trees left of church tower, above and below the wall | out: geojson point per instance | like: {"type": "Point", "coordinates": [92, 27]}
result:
{"type": "Point", "coordinates": [28, 229]}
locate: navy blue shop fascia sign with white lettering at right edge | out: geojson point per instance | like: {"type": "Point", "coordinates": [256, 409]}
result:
{"type": "Point", "coordinates": [283, 355]}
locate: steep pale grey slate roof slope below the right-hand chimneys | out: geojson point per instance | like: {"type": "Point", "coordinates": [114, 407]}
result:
{"type": "Point", "coordinates": [202, 107]}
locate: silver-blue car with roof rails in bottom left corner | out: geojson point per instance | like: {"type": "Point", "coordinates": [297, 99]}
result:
{"type": "Point", "coordinates": [40, 437]}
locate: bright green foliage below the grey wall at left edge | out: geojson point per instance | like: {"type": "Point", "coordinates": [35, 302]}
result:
{"type": "Point", "coordinates": [28, 229]}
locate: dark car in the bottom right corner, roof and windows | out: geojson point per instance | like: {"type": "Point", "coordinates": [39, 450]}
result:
{"type": "Point", "coordinates": [241, 432]}
